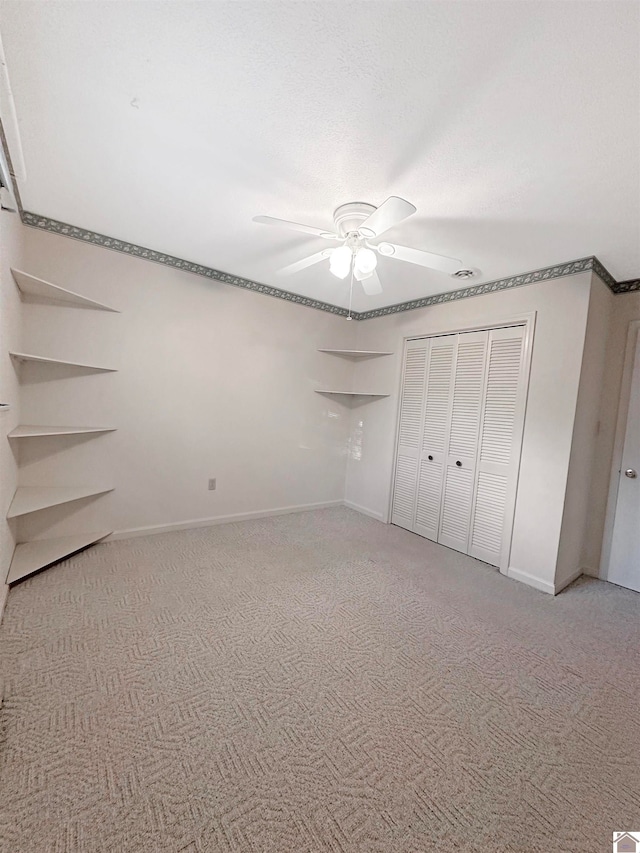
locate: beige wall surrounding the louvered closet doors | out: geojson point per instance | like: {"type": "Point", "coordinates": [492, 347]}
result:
{"type": "Point", "coordinates": [561, 308]}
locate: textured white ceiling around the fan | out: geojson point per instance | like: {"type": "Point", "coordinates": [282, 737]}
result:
{"type": "Point", "coordinates": [514, 127]}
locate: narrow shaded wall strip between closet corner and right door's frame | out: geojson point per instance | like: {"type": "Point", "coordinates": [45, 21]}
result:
{"type": "Point", "coordinates": [625, 309]}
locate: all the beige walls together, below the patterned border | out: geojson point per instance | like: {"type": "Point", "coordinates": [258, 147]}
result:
{"type": "Point", "coordinates": [219, 382]}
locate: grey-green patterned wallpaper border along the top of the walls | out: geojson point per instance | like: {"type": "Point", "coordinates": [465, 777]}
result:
{"type": "Point", "coordinates": [545, 274]}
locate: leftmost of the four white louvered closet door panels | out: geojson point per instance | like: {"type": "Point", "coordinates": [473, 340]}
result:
{"type": "Point", "coordinates": [410, 433]}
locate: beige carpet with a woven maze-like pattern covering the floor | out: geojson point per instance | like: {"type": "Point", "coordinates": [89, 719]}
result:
{"type": "Point", "coordinates": [314, 682]}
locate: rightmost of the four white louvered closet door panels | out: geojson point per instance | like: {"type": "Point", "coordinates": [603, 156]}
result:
{"type": "Point", "coordinates": [501, 424]}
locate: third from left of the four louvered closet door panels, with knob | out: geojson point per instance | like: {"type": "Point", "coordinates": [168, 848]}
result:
{"type": "Point", "coordinates": [462, 445]}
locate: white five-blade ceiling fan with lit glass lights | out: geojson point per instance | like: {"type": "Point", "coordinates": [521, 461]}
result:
{"type": "Point", "coordinates": [356, 224]}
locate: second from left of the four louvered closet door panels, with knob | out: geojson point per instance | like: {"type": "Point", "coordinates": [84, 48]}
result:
{"type": "Point", "coordinates": [437, 416]}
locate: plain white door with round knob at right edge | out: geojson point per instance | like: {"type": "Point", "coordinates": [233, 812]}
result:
{"type": "Point", "coordinates": [624, 562]}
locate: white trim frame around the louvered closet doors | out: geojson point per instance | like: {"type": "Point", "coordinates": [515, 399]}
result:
{"type": "Point", "coordinates": [526, 319]}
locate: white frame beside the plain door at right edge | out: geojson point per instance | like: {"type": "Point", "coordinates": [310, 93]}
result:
{"type": "Point", "coordinates": [633, 333]}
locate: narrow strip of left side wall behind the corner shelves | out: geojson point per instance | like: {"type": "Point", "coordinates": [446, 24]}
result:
{"type": "Point", "coordinates": [11, 233]}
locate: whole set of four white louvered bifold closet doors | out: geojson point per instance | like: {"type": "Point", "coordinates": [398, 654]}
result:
{"type": "Point", "coordinates": [459, 437]}
